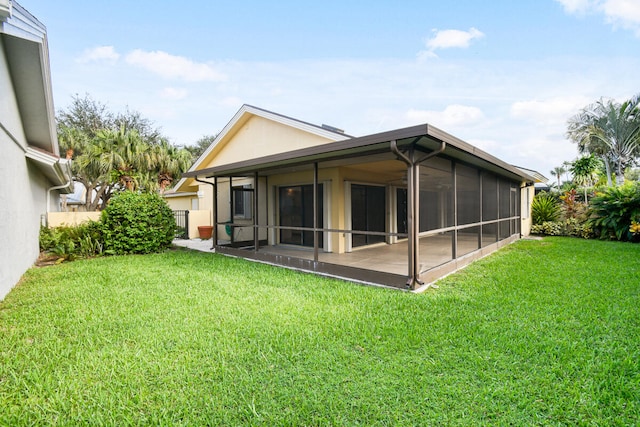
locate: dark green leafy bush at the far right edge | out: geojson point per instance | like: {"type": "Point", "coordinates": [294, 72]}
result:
{"type": "Point", "coordinates": [613, 212]}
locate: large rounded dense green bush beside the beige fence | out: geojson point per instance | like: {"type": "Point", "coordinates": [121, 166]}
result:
{"type": "Point", "coordinates": [134, 223]}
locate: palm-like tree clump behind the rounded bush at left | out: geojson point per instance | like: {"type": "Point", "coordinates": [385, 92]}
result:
{"type": "Point", "coordinates": [116, 152]}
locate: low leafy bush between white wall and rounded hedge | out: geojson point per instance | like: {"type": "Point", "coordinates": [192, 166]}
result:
{"type": "Point", "coordinates": [71, 242]}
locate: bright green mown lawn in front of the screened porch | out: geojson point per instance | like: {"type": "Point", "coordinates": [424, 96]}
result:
{"type": "Point", "coordinates": [540, 333]}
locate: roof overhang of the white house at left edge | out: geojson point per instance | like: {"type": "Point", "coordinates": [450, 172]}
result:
{"type": "Point", "coordinates": [25, 45]}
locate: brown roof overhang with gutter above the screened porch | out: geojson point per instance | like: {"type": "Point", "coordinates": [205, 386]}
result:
{"type": "Point", "coordinates": [425, 138]}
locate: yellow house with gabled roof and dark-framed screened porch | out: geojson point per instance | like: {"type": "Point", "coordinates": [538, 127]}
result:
{"type": "Point", "coordinates": [399, 208]}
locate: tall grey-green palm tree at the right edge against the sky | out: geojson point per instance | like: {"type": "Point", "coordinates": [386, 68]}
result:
{"type": "Point", "coordinates": [610, 131]}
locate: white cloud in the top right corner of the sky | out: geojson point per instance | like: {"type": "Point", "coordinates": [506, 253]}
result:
{"type": "Point", "coordinates": [622, 13]}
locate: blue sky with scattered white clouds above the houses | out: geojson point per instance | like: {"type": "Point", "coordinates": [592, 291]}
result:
{"type": "Point", "coordinates": [503, 75]}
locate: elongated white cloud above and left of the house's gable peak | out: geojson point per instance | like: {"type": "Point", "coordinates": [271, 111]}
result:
{"type": "Point", "coordinates": [174, 67]}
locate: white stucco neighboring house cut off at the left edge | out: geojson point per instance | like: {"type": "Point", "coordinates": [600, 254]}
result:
{"type": "Point", "coordinates": [32, 174]}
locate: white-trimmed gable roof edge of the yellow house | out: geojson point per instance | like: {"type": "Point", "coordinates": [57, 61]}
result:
{"type": "Point", "coordinates": [242, 116]}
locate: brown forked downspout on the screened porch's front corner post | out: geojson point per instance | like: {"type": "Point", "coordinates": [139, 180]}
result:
{"type": "Point", "coordinates": [413, 208]}
